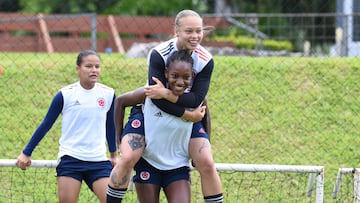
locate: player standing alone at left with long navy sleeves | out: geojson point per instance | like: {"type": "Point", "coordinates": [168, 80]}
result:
{"type": "Point", "coordinates": [87, 109]}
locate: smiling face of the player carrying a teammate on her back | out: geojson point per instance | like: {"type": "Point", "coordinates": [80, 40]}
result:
{"type": "Point", "coordinates": [179, 74]}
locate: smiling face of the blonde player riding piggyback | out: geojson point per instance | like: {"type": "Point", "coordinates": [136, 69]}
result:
{"type": "Point", "coordinates": [189, 30]}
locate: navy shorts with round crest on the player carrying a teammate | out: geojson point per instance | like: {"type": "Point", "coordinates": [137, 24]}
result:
{"type": "Point", "coordinates": [146, 173]}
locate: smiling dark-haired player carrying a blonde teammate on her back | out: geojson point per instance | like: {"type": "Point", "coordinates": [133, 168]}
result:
{"type": "Point", "coordinates": [170, 135]}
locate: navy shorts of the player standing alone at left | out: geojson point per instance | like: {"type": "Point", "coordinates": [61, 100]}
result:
{"type": "Point", "coordinates": [83, 170]}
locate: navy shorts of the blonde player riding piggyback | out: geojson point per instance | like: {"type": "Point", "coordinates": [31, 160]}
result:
{"type": "Point", "coordinates": [135, 125]}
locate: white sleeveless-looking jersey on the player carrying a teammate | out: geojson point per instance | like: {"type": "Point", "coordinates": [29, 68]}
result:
{"type": "Point", "coordinates": [167, 138]}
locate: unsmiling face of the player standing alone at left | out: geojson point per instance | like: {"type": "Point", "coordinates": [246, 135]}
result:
{"type": "Point", "coordinates": [89, 71]}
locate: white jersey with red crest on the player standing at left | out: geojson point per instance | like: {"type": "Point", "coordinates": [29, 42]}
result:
{"type": "Point", "coordinates": [84, 114]}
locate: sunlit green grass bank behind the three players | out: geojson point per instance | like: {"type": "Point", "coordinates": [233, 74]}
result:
{"type": "Point", "coordinates": [278, 110]}
